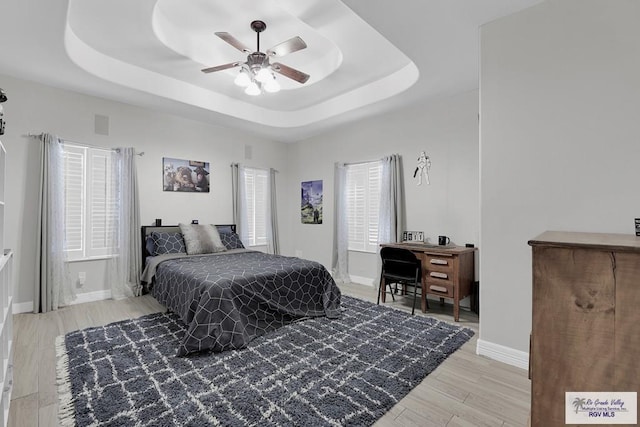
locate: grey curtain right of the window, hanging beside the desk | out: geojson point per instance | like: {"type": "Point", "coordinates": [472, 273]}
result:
{"type": "Point", "coordinates": [391, 215]}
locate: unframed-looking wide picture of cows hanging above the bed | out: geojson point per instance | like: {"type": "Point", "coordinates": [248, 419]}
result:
{"type": "Point", "coordinates": [185, 175]}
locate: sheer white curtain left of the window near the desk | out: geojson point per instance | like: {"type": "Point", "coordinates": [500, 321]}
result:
{"type": "Point", "coordinates": [340, 264]}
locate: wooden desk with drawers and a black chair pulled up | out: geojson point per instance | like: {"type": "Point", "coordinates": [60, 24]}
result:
{"type": "Point", "coordinates": [447, 272]}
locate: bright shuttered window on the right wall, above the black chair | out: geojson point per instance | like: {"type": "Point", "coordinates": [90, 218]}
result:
{"type": "Point", "coordinates": [363, 205]}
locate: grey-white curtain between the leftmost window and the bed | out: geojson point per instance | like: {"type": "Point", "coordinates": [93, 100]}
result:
{"type": "Point", "coordinates": [125, 266]}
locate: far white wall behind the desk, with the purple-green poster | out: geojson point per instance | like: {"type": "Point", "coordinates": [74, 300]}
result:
{"type": "Point", "coordinates": [447, 130]}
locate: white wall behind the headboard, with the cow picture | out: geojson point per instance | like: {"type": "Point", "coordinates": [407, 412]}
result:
{"type": "Point", "coordinates": [34, 108]}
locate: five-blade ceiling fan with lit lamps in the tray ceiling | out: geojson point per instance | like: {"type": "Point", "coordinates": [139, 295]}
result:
{"type": "Point", "coordinates": [256, 74]}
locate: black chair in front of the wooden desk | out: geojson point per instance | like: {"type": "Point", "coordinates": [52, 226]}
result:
{"type": "Point", "coordinates": [400, 266]}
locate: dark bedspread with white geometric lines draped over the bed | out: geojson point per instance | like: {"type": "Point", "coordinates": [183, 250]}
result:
{"type": "Point", "coordinates": [227, 300]}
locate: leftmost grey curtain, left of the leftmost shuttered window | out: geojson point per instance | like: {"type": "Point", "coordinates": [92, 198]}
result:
{"type": "Point", "coordinates": [53, 287]}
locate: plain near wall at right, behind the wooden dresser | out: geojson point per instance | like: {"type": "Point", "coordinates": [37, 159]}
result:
{"type": "Point", "coordinates": [560, 127]}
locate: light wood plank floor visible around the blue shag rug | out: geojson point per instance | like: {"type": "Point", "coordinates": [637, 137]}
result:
{"type": "Point", "coordinates": [465, 390]}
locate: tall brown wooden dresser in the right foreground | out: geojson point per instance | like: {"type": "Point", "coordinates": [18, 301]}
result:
{"type": "Point", "coordinates": [586, 313]}
